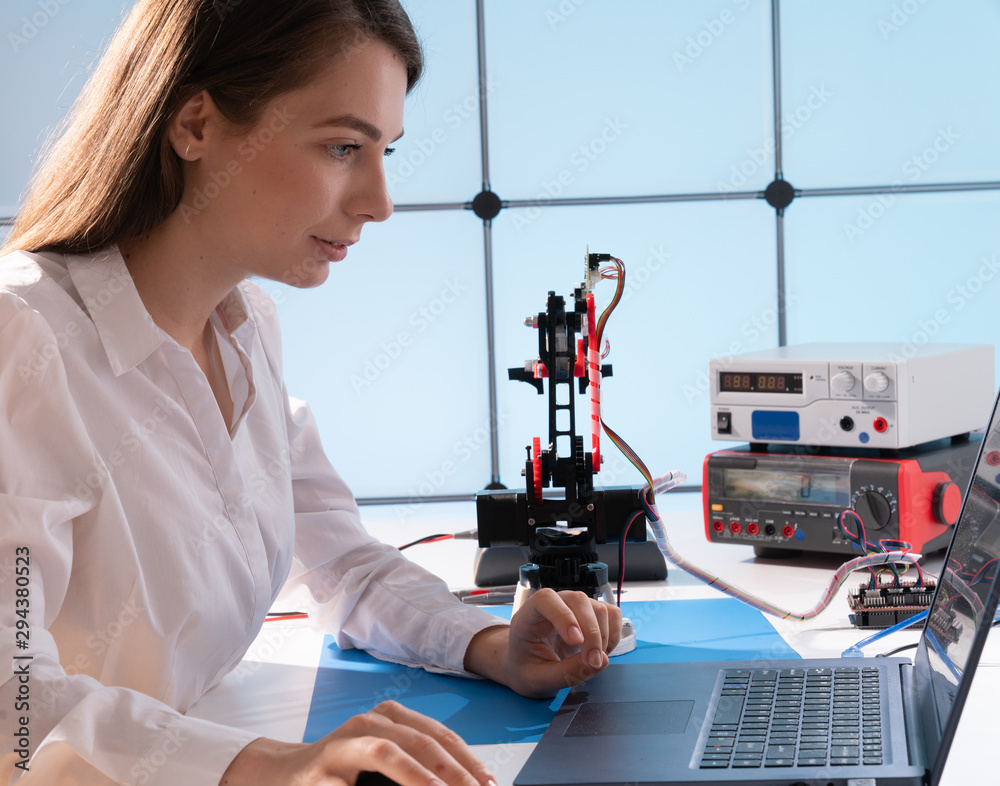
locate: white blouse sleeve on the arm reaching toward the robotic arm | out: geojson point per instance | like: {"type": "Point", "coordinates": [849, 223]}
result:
{"type": "Point", "coordinates": [367, 591]}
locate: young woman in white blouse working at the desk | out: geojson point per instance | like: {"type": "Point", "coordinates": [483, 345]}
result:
{"type": "Point", "coordinates": [158, 487]}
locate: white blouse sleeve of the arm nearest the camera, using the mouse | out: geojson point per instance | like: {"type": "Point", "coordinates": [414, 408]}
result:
{"type": "Point", "coordinates": [60, 725]}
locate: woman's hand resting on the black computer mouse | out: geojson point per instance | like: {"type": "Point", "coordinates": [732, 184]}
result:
{"type": "Point", "coordinates": [410, 748]}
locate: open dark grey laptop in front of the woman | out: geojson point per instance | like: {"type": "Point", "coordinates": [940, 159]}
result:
{"type": "Point", "coordinates": [862, 721]}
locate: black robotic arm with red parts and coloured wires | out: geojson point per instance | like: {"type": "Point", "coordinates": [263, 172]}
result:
{"type": "Point", "coordinates": [561, 517]}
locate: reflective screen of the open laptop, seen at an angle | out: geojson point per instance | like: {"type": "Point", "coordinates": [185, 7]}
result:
{"type": "Point", "coordinates": [966, 597]}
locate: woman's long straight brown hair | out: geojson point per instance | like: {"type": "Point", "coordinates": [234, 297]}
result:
{"type": "Point", "coordinates": [112, 174]}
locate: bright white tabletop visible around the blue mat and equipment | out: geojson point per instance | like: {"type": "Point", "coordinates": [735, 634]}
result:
{"type": "Point", "coordinates": [270, 691]}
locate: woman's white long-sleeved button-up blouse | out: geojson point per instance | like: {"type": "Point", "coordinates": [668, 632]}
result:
{"type": "Point", "coordinates": [142, 541]}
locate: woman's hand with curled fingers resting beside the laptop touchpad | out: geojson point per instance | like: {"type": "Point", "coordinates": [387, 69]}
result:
{"type": "Point", "coordinates": [554, 640]}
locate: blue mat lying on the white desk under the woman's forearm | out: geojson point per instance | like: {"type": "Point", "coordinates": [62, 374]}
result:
{"type": "Point", "coordinates": [349, 682]}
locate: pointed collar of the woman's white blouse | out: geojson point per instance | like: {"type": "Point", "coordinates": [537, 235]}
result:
{"type": "Point", "coordinates": [127, 331]}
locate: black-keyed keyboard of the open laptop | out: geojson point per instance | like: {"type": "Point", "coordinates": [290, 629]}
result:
{"type": "Point", "coordinates": [796, 717]}
